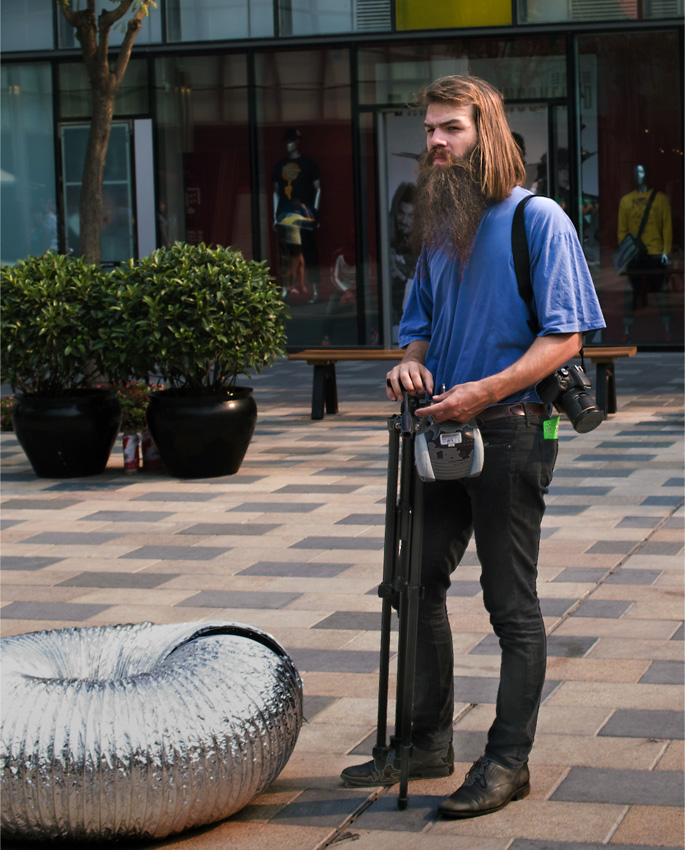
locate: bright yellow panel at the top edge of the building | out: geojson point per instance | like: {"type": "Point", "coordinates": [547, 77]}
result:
{"type": "Point", "coordinates": [447, 14]}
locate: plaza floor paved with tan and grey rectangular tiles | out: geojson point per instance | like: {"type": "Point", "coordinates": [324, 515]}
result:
{"type": "Point", "coordinates": [293, 544]}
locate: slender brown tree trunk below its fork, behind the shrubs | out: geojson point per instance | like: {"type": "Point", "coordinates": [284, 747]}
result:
{"type": "Point", "coordinates": [90, 202]}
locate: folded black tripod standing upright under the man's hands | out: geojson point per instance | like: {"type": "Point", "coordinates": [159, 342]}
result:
{"type": "Point", "coordinates": [402, 585]}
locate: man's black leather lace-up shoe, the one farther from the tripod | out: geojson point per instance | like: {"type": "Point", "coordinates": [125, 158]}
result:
{"type": "Point", "coordinates": [488, 788]}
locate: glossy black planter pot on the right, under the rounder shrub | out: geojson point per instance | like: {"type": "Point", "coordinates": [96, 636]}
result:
{"type": "Point", "coordinates": [202, 436]}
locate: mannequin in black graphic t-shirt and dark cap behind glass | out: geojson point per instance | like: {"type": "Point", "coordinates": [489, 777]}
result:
{"type": "Point", "coordinates": [297, 194]}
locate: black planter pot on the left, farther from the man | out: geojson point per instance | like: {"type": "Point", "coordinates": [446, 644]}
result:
{"type": "Point", "coordinates": [70, 436]}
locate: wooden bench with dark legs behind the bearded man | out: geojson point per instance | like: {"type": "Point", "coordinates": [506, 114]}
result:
{"type": "Point", "coordinates": [325, 388]}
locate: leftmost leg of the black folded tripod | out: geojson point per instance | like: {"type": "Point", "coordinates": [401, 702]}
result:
{"type": "Point", "coordinates": [386, 588]}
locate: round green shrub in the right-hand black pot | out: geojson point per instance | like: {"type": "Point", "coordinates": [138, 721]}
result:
{"type": "Point", "coordinates": [196, 316]}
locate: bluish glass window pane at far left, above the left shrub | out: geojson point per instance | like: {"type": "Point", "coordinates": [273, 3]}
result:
{"type": "Point", "coordinates": [27, 187]}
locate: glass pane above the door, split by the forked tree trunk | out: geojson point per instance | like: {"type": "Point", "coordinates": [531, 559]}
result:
{"type": "Point", "coordinates": [75, 94]}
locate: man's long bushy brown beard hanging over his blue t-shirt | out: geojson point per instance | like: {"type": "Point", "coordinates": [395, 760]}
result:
{"type": "Point", "coordinates": [448, 207]}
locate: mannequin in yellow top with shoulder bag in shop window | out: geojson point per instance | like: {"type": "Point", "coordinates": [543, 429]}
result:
{"type": "Point", "coordinates": [649, 272]}
